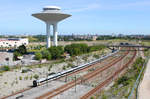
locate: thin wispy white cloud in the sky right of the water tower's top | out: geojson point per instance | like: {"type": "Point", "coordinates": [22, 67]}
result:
{"type": "Point", "coordinates": [86, 8]}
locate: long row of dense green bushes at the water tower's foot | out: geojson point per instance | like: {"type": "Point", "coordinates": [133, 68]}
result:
{"type": "Point", "coordinates": [56, 52]}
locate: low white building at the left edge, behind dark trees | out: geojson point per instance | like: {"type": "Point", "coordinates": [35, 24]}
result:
{"type": "Point", "coordinates": [13, 42]}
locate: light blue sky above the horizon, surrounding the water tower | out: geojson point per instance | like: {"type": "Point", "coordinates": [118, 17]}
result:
{"type": "Point", "coordinates": [88, 17]}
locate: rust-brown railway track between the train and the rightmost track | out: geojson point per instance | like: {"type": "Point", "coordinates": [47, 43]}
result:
{"type": "Point", "coordinates": [86, 77]}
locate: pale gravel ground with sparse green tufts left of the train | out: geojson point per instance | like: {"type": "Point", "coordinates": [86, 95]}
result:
{"type": "Point", "coordinates": [15, 80]}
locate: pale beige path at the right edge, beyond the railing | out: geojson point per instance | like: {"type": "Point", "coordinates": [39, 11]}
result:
{"type": "Point", "coordinates": [144, 88]}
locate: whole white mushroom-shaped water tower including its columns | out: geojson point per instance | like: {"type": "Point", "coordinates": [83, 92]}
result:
{"type": "Point", "coordinates": [51, 15]}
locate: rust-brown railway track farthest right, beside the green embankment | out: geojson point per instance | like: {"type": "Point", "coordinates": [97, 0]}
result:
{"type": "Point", "coordinates": [108, 80]}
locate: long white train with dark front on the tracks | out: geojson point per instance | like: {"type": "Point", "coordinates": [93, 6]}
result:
{"type": "Point", "coordinates": [63, 73]}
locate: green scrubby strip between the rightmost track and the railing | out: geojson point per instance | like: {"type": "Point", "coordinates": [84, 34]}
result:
{"type": "Point", "coordinates": [122, 87]}
